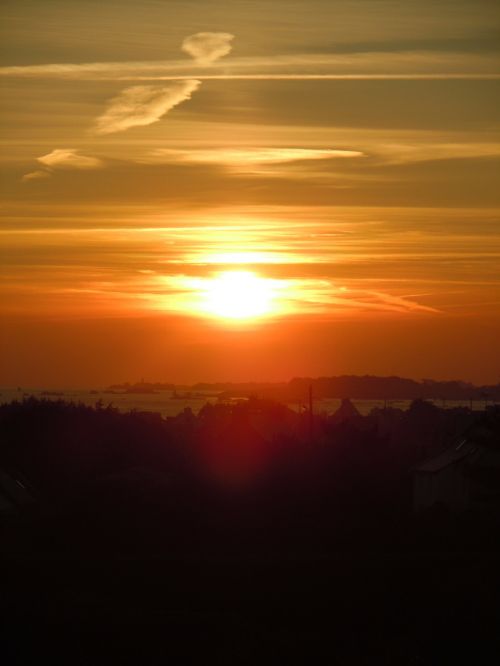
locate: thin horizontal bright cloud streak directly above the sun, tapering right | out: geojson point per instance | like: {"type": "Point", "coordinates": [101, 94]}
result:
{"type": "Point", "coordinates": [247, 159]}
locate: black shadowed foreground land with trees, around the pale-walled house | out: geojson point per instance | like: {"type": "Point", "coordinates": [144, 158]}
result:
{"type": "Point", "coordinates": [246, 534]}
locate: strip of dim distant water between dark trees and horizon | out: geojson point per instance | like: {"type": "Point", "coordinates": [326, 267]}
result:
{"type": "Point", "coordinates": [165, 404]}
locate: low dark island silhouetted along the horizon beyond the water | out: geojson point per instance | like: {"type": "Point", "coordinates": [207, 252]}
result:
{"type": "Point", "coordinates": [366, 387]}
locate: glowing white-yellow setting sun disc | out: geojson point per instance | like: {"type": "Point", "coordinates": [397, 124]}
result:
{"type": "Point", "coordinates": [239, 295]}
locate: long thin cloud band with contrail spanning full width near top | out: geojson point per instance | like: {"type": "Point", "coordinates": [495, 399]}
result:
{"type": "Point", "coordinates": [363, 65]}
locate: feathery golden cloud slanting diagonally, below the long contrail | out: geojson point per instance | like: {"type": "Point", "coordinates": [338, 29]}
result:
{"type": "Point", "coordinates": [143, 105]}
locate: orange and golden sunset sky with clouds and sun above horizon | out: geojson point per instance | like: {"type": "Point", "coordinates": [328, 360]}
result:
{"type": "Point", "coordinates": [201, 190]}
